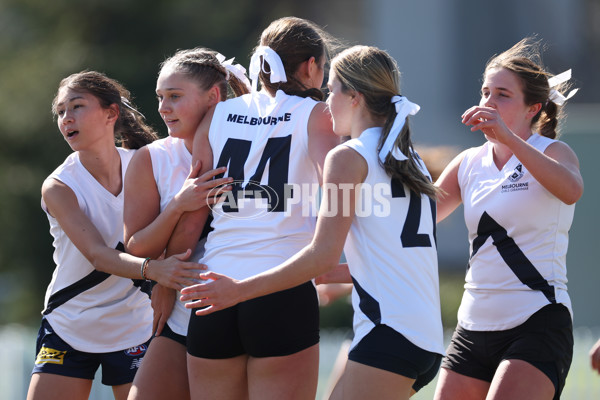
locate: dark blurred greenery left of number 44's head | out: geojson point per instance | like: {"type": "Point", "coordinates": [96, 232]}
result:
{"type": "Point", "coordinates": [43, 42]}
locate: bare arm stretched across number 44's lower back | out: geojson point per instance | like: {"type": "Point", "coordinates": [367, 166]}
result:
{"type": "Point", "coordinates": [344, 170]}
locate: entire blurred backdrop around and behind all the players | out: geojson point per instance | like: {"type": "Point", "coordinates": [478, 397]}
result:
{"type": "Point", "coordinates": [441, 47]}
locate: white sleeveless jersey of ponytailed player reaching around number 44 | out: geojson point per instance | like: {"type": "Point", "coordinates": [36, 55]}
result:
{"type": "Point", "coordinates": [392, 255]}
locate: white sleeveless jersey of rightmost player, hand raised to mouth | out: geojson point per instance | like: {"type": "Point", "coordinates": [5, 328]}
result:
{"type": "Point", "coordinates": [518, 234]}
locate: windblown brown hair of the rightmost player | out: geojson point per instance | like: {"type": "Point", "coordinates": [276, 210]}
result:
{"type": "Point", "coordinates": [524, 59]}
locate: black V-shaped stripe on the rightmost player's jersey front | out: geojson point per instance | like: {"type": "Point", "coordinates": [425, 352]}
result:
{"type": "Point", "coordinates": [512, 255]}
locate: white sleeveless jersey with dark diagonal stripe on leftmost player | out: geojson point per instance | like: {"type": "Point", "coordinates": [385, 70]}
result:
{"type": "Point", "coordinates": [91, 310]}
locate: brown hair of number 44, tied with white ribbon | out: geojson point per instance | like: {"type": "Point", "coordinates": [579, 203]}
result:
{"type": "Point", "coordinates": [295, 40]}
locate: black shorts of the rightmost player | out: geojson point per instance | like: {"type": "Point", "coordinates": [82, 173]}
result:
{"type": "Point", "coordinates": [545, 340]}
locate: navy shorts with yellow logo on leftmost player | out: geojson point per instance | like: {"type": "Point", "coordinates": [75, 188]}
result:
{"type": "Point", "coordinates": [55, 356]}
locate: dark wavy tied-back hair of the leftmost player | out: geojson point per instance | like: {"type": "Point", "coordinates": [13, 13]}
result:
{"type": "Point", "coordinates": [130, 129]}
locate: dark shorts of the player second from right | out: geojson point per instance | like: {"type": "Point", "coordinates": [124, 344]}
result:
{"type": "Point", "coordinates": [387, 349]}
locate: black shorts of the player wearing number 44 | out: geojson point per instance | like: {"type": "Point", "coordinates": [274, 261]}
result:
{"type": "Point", "coordinates": [278, 324]}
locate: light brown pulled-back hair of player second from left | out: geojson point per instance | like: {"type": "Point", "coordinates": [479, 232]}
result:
{"type": "Point", "coordinates": [202, 65]}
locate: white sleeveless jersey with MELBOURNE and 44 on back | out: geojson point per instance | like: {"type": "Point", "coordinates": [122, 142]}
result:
{"type": "Point", "coordinates": [263, 141]}
